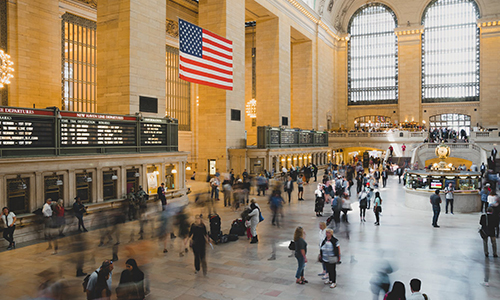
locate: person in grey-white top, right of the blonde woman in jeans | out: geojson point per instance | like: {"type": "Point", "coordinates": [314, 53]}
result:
{"type": "Point", "coordinates": [330, 256]}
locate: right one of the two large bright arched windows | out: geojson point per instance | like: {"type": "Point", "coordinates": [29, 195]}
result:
{"type": "Point", "coordinates": [450, 51]}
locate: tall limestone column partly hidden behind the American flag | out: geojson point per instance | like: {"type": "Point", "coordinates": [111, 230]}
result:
{"type": "Point", "coordinates": [217, 132]}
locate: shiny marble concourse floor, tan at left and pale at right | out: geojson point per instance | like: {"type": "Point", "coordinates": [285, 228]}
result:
{"type": "Point", "coordinates": [449, 260]}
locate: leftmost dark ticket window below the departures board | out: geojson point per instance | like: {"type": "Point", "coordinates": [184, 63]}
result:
{"type": "Point", "coordinates": [18, 191]}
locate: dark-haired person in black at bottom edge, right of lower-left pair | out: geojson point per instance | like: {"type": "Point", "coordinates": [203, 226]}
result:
{"type": "Point", "coordinates": [131, 286]}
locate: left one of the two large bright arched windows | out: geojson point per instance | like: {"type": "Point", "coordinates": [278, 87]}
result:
{"type": "Point", "coordinates": [373, 56]}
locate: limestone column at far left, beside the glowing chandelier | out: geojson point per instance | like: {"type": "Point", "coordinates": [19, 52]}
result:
{"type": "Point", "coordinates": [34, 44]}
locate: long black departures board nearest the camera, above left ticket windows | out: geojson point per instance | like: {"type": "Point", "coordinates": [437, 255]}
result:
{"type": "Point", "coordinates": [42, 128]}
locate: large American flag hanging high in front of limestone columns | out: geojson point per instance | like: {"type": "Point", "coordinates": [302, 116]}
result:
{"type": "Point", "coordinates": [205, 58]}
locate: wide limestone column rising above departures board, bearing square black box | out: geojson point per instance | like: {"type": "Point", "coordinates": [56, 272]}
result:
{"type": "Point", "coordinates": [131, 61]}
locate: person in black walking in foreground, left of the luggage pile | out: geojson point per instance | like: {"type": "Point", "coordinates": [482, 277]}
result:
{"type": "Point", "coordinates": [199, 239]}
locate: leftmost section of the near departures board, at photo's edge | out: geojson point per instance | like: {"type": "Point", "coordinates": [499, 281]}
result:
{"type": "Point", "coordinates": [26, 128]}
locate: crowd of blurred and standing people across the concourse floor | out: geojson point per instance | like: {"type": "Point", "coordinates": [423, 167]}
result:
{"type": "Point", "coordinates": [333, 190]}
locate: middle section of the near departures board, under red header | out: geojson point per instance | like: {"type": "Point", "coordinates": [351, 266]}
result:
{"type": "Point", "coordinates": [84, 129]}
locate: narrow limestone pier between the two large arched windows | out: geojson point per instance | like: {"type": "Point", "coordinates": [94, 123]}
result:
{"type": "Point", "coordinates": [410, 73]}
